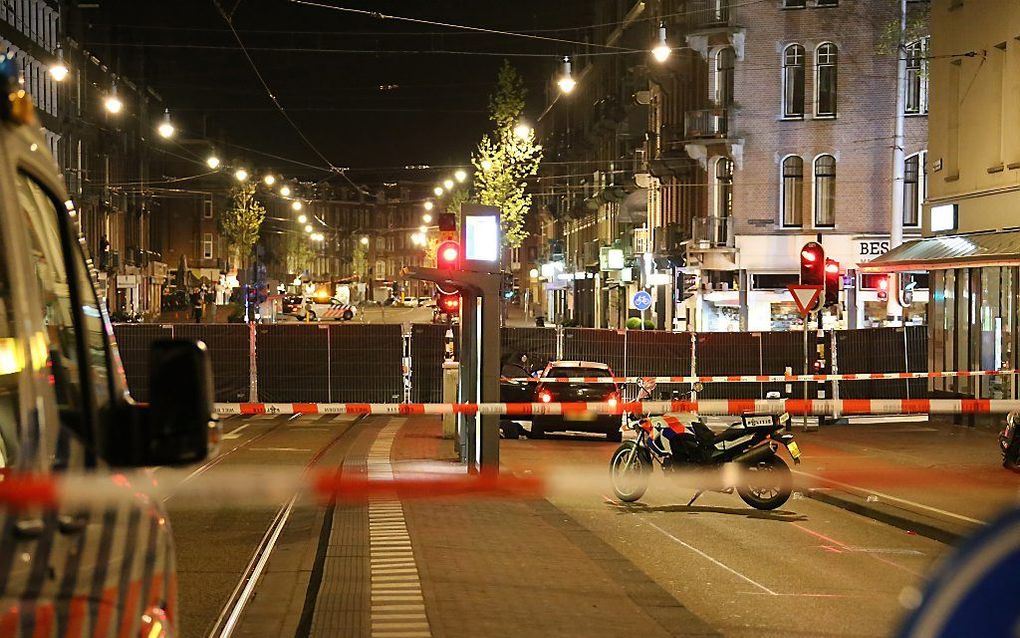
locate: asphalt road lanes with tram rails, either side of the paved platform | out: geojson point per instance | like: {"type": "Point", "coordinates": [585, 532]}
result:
{"type": "Point", "coordinates": [809, 569]}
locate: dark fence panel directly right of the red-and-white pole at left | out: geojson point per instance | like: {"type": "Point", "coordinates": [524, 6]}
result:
{"type": "Point", "coordinates": [293, 363]}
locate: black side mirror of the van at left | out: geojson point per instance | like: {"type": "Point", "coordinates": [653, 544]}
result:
{"type": "Point", "coordinates": [179, 425]}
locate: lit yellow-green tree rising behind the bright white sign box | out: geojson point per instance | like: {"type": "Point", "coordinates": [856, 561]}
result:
{"type": "Point", "coordinates": [505, 160]}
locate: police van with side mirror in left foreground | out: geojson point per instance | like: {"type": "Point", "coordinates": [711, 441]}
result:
{"type": "Point", "coordinates": [65, 409]}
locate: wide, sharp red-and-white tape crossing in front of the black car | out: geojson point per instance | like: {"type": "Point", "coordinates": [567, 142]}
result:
{"type": "Point", "coordinates": [703, 407]}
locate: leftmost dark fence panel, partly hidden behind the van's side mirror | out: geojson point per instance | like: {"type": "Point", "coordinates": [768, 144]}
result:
{"type": "Point", "coordinates": [229, 349]}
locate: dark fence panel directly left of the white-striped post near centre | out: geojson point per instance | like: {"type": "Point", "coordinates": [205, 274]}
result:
{"type": "Point", "coordinates": [366, 363]}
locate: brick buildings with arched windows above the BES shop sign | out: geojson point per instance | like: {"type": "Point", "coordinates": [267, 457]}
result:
{"type": "Point", "coordinates": [771, 125]}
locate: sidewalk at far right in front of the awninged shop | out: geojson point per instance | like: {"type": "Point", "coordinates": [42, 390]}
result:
{"type": "Point", "coordinates": [941, 481]}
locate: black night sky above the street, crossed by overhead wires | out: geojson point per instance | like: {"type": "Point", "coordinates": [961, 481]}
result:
{"type": "Point", "coordinates": [374, 113]}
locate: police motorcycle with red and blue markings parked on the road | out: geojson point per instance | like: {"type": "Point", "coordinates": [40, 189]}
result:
{"type": "Point", "coordinates": [678, 444]}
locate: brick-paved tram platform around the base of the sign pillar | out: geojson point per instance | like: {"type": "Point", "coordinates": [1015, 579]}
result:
{"type": "Point", "coordinates": [502, 568]}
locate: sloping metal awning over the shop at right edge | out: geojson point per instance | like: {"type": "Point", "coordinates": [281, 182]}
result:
{"type": "Point", "coordinates": [940, 254]}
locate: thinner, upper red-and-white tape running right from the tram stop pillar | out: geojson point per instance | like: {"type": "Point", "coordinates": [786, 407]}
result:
{"type": "Point", "coordinates": [770, 378]}
